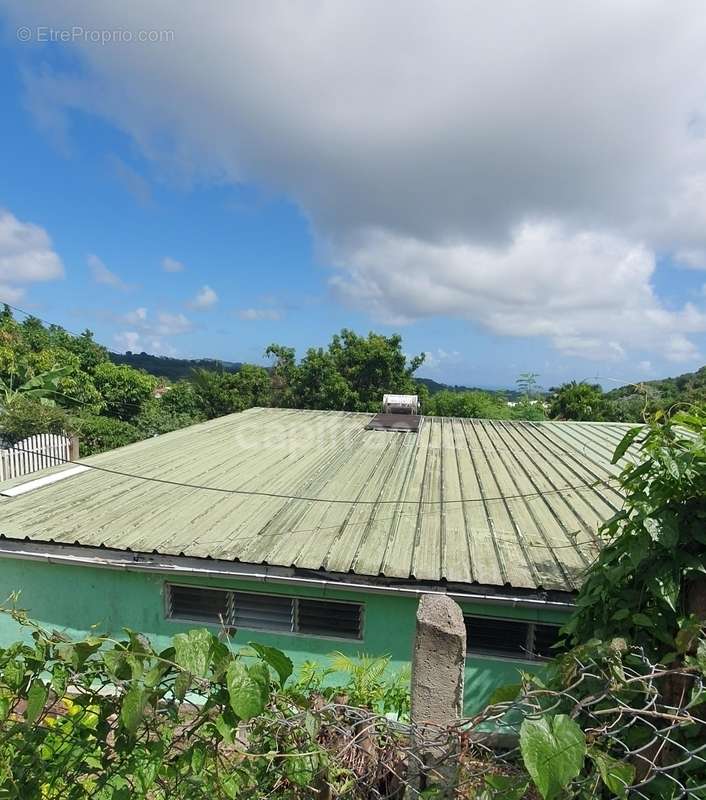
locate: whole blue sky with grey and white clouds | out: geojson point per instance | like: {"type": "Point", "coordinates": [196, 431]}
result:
{"type": "Point", "coordinates": [512, 187]}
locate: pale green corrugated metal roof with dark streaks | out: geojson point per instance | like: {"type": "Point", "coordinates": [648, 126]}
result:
{"type": "Point", "coordinates": [376, 503]}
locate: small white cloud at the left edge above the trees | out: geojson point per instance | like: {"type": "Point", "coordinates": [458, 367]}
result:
{"type": "Point", "coordinates": [26, 256]}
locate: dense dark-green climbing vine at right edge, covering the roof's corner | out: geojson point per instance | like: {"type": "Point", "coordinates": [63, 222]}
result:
{"type": "Point", "coordinates": [656, 544]}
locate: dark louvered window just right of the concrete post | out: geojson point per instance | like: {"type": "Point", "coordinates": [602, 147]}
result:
{"type": "Point", "coordinates": [526, 641]}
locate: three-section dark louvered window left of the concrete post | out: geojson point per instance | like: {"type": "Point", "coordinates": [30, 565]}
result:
{"type": "Point", "coordinates": [267, 612]}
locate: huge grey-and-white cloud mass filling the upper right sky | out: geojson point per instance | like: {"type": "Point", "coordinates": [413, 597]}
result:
{"type": "Point", "coordinates": [518, 166]}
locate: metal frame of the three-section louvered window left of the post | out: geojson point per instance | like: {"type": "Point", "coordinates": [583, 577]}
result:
{"type": "Point", "coordinates": [230, 603]}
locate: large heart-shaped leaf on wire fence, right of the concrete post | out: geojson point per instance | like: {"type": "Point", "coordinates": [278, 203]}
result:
{"type": "Point", "coordinates": [553, 750]}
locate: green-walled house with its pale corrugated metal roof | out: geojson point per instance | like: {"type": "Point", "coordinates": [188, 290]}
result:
{"type": "Point", "coordinates": [316, 533]}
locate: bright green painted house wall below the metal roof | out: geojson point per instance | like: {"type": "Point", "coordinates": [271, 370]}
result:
{"type": "Point", "coordinates": [78, 599]}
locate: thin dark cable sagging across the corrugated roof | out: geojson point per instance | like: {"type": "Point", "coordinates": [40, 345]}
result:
{"type": "Point", "coordinates": [310, 499]}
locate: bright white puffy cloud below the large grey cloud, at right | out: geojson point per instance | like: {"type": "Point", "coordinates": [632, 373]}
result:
{"type": "Point", "coordinates": [590, 293]}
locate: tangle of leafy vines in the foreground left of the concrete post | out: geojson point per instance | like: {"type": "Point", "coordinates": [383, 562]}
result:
{"type": "Point", "coordinates": [107, 718]}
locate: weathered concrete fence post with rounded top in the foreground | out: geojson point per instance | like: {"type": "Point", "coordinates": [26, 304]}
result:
{"type": "Point", "coordinates": [438, 666]}
